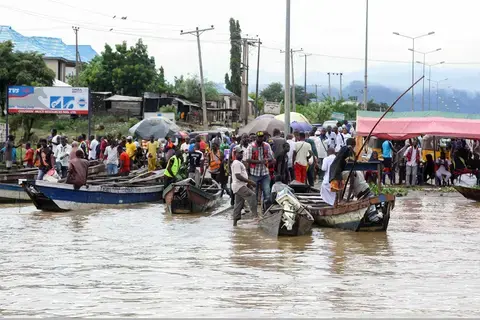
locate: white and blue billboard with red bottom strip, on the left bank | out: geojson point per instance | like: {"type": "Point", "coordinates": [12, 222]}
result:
{"type": "Point", "coordinates": [59, 100]}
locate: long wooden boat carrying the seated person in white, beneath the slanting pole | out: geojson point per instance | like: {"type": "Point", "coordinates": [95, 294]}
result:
{"type": "Point", "coordinates": [372, 214]}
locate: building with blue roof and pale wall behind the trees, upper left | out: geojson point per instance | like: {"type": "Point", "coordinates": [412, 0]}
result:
{"type": "Point", "coordinates": [58, 56]}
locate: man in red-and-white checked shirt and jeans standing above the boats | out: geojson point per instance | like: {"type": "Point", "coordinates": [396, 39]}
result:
{"type": "Point", "coordinates": [259, 154]}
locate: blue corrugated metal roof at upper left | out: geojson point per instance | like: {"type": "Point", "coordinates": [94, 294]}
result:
{"type": "Point", "coordinates": [49, 47]}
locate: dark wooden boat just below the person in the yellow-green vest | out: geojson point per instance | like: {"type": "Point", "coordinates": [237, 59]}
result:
{"type": "Point", "coordinates": [185, 197]}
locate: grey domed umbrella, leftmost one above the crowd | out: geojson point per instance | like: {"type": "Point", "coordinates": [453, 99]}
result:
{"type": "Point", "coordinates": [158, 127]}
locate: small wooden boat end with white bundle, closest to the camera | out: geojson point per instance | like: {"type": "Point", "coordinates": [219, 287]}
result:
{"type": "Point", "coordinates": [275, 223]}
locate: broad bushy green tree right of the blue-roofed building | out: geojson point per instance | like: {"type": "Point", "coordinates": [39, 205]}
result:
{"type": "Point", "coordinates": [127, 71]}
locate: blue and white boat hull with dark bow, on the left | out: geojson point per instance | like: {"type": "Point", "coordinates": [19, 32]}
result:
{"type": "Point", "coordinates": [59, 197]}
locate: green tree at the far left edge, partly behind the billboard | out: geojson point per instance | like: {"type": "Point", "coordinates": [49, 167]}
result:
{"type": "Point", "coordinates": [22, 68]}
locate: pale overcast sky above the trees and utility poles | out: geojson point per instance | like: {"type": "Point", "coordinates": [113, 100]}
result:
{"type": "Point", "coordinates": [333, 31]}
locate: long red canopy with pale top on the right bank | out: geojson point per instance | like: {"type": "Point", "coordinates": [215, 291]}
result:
{"type": "Point", "coordinates": [405, 125]}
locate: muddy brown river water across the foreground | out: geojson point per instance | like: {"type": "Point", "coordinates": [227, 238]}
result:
{"type": "Point", "coordinates": [140, 262]}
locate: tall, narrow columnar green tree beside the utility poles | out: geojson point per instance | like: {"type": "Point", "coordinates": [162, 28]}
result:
{"type": "Point", "coordinates": [234, 83]}
